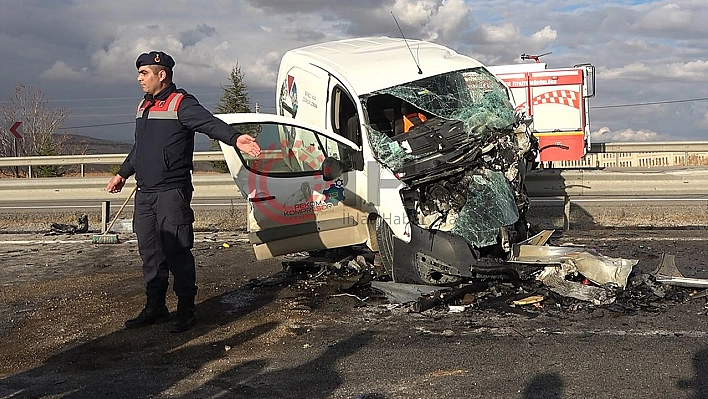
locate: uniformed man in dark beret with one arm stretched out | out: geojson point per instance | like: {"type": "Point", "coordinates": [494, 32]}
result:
{"type": "Point", "coordinates": [161, 160]}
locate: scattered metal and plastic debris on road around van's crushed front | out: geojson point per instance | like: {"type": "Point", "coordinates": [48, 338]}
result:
{"type": "Point", "coordinates": [542, 277]}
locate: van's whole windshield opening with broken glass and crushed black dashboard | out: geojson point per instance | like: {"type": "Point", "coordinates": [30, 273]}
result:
{"type": "Point", "coordinates": [462, 111]}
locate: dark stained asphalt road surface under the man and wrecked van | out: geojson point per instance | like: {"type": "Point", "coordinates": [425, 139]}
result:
{"type": "Point", "coordinates": [264, 333]}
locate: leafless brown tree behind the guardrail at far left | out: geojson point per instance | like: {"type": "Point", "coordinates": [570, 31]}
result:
{"type": "Point", "coordinates": [40, 122]}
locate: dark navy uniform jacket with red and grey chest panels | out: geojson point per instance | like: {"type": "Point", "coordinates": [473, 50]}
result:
{"type": "Point", "coordinates": [161, 157]}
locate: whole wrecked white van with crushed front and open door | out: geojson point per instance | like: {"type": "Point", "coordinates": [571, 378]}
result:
{"type": "Point", "coordinates": [404, 146]}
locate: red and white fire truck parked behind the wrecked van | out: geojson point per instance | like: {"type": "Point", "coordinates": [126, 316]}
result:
{"type": "Point", "coordinates": [556, 99]}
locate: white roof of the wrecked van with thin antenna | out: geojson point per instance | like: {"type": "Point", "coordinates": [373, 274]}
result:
{"type": "Point", "coordinates": [375, 63]}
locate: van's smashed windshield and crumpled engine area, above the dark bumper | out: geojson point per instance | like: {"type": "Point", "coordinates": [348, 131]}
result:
{"type": "Point", "coordinates": [464, 165]}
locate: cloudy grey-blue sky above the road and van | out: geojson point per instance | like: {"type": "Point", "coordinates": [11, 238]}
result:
{"type": "Point", "coordinates": [651, 57]}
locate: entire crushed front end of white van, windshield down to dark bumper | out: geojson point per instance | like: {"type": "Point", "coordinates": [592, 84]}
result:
{"type": "Point", "coordinates": [462, 154]}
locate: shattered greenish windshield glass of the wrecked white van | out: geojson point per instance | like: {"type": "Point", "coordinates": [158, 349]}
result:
{"type": "Point", "coordinates": [473, 97]}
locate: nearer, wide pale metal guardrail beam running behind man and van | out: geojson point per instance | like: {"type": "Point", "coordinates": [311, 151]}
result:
{"type": "Point", "coordinates": [674, 182]}
